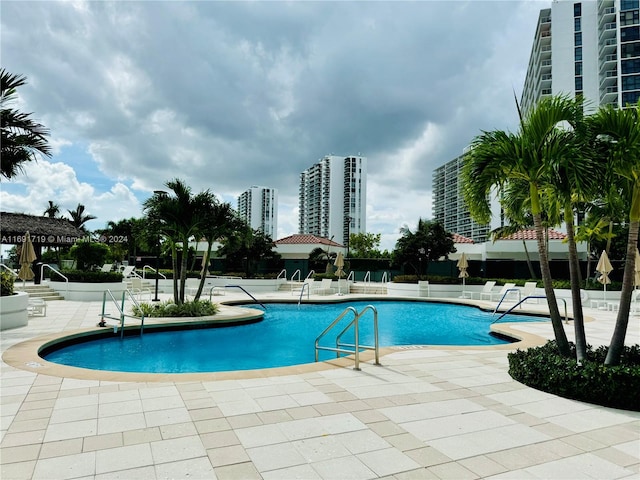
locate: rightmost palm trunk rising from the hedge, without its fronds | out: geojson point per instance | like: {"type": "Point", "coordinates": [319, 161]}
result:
{"type": "Point", "coordinates": [622, 321]}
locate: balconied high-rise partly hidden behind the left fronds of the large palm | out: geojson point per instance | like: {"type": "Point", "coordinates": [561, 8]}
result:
{"type": "Point", "coordinates": [449, 207]}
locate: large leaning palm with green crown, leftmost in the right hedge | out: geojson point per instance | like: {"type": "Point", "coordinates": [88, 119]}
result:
{"type": "Point", "coordinates": [498, 157]}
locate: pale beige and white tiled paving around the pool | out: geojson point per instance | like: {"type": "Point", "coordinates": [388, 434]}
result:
{"type": "Point", "coordinates": [426, 413]}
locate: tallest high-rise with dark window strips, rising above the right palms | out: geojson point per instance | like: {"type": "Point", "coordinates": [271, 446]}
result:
{"type": "Point", "coordinates": [589, 49]}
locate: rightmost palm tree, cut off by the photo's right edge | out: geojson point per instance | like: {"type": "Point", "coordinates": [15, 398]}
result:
{"type": "Point", "coordinates": [620, 130]}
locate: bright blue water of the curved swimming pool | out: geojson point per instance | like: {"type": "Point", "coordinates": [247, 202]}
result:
{"type": "Point", "coordinates": [286, 336]}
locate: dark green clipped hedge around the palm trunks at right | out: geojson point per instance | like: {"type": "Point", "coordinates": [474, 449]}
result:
{"type": "Point", "coordinates": [543, 368]}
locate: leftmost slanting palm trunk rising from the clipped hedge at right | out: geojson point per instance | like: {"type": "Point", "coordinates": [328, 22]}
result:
{"type": "Point", "coordinates": [554, 312]}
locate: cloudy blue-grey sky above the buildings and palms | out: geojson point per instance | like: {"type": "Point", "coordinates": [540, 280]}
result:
{"type": "Point", "coordinates": [225, 95]}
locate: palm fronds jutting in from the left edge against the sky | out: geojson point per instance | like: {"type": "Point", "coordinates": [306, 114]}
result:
{"type": "Point", "coordinates": [22, 138]}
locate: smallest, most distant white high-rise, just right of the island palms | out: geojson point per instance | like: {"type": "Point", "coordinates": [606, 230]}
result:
{"type": "Point", "coordinates": [258, 206]}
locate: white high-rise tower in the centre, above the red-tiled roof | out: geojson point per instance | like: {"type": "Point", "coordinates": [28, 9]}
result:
{"type": "Point", "coordinates": [333, 198]}
